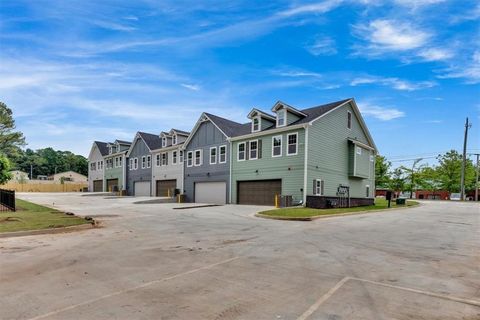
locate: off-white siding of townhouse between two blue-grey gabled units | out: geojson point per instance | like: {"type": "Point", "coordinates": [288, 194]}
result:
{"type": "Point", "coordinates": [167, 172]}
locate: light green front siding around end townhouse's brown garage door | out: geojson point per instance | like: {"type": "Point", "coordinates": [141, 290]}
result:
{"type": "Point", "coordinates": [290, 169]}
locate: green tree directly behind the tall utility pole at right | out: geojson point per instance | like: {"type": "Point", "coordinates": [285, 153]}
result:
{"type": "Point", "coordinates": [449, 172]}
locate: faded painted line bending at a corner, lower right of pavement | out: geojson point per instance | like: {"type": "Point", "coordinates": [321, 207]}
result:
{"type": "Point", "coordinates": [339, 284]}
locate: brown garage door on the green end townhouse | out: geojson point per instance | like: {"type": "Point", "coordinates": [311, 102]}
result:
{"type": "Point", "coordinates": [260, 192]}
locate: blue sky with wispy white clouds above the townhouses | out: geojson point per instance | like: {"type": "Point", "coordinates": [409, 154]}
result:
{"type": "Point", "coordinates": [78, 71]}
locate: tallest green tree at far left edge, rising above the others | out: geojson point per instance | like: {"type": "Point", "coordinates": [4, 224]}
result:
{"type": "Point", "coordinates": [9, 138]}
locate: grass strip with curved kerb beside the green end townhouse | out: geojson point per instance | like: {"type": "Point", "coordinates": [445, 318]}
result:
{"type": "Point", "coordinates": [308, 212]}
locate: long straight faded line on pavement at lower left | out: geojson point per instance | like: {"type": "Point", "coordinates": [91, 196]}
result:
{"type": "Point", "coordinates": [146, 284]}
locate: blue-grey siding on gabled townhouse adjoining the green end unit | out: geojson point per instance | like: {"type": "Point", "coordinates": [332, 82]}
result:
{"type": "Point", "coordinates": [206, 136]}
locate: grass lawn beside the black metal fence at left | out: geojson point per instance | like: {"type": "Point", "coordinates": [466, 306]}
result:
{"type": "Point", "coordinates": [30, 216]}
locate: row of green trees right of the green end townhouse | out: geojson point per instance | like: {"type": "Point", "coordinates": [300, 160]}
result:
{"type": "Point", "coordinates": [445, 175]}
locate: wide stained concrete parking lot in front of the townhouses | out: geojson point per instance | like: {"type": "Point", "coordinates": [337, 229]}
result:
{"type": "Point", "coordinates": [150, 261]}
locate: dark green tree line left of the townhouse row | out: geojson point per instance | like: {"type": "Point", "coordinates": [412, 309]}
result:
{"type": "Point", "coordinates": [42, 162]}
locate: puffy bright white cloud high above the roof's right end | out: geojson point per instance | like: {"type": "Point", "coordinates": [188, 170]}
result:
{"type": "Point", "coordinates": [391, 35]}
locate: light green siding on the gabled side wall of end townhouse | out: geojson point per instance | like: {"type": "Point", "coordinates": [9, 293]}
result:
{"type": "Point", "coordinates": [329, 156]}
